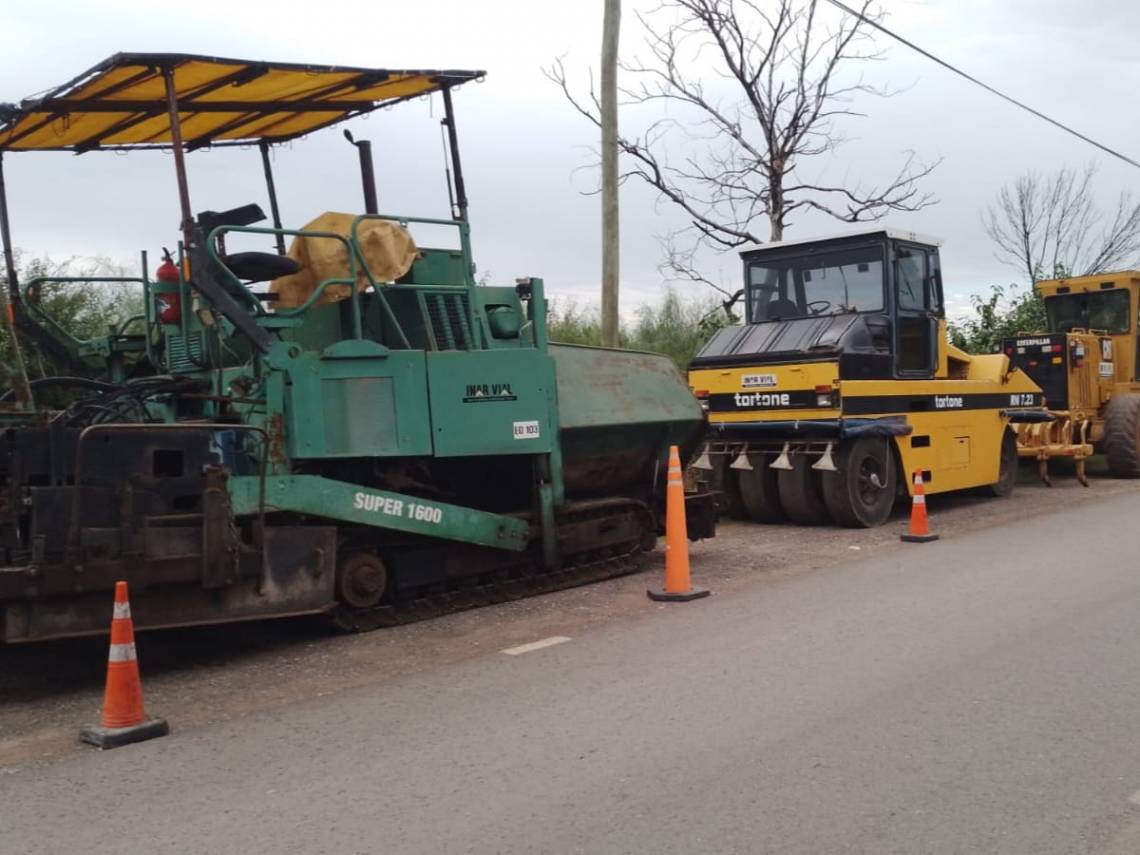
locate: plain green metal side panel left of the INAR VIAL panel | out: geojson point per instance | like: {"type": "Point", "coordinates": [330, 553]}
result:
{"type": "Point", "coordinates": [365, 406]}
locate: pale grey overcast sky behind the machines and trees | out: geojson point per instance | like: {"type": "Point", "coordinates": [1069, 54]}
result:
{"type": "Point", "coordinates": [527, 156]}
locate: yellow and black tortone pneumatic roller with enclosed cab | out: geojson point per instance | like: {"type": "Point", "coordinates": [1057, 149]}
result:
{"type": "Point", "coordinates": [842, 384]}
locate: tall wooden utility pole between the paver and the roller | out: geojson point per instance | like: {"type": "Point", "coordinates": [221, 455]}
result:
{"type": "Point", "coordinates": [612, 26]}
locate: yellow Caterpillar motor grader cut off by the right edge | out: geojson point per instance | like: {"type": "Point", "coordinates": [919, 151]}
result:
{"type": "Point", "coordinates": [1087, 368]}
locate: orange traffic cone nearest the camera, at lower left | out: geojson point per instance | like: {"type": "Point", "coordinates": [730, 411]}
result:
{"type": "Point", "coordinates": [124, 720]}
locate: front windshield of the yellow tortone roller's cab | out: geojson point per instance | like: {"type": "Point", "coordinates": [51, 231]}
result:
{"type": "Point", "coordinates": [820, 284]}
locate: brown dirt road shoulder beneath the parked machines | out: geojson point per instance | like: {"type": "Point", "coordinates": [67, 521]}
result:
{"type": "Point", "coordinates": [196, 678]}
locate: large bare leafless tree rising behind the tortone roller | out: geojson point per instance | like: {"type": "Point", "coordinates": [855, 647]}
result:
{"type": "Point", "coordinates": [750, 91]}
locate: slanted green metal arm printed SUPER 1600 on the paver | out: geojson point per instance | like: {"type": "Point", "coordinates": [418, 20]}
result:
{"type": "Point", "coordinates": [339, 501]}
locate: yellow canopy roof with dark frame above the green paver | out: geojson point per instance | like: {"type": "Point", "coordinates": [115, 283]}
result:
{"type": "Point", "coordinates": [123, 102]}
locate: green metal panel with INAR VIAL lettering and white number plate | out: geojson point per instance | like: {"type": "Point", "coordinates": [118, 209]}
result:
{"type": "Point", "coordinates": [492, 402]}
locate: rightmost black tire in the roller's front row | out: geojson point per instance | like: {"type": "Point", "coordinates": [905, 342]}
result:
{"type": "Point", "coordinates": [861, 493]}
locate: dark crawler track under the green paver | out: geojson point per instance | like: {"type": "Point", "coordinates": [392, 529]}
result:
{"type": "Point", "coordinates": [527, 579]}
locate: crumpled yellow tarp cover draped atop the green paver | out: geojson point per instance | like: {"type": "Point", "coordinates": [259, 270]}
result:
{"type": "Point", "coordinates": [387, 247]}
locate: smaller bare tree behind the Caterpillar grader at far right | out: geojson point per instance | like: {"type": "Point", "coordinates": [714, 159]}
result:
{"type": "Point", "coordinates": [1051, 225]}
